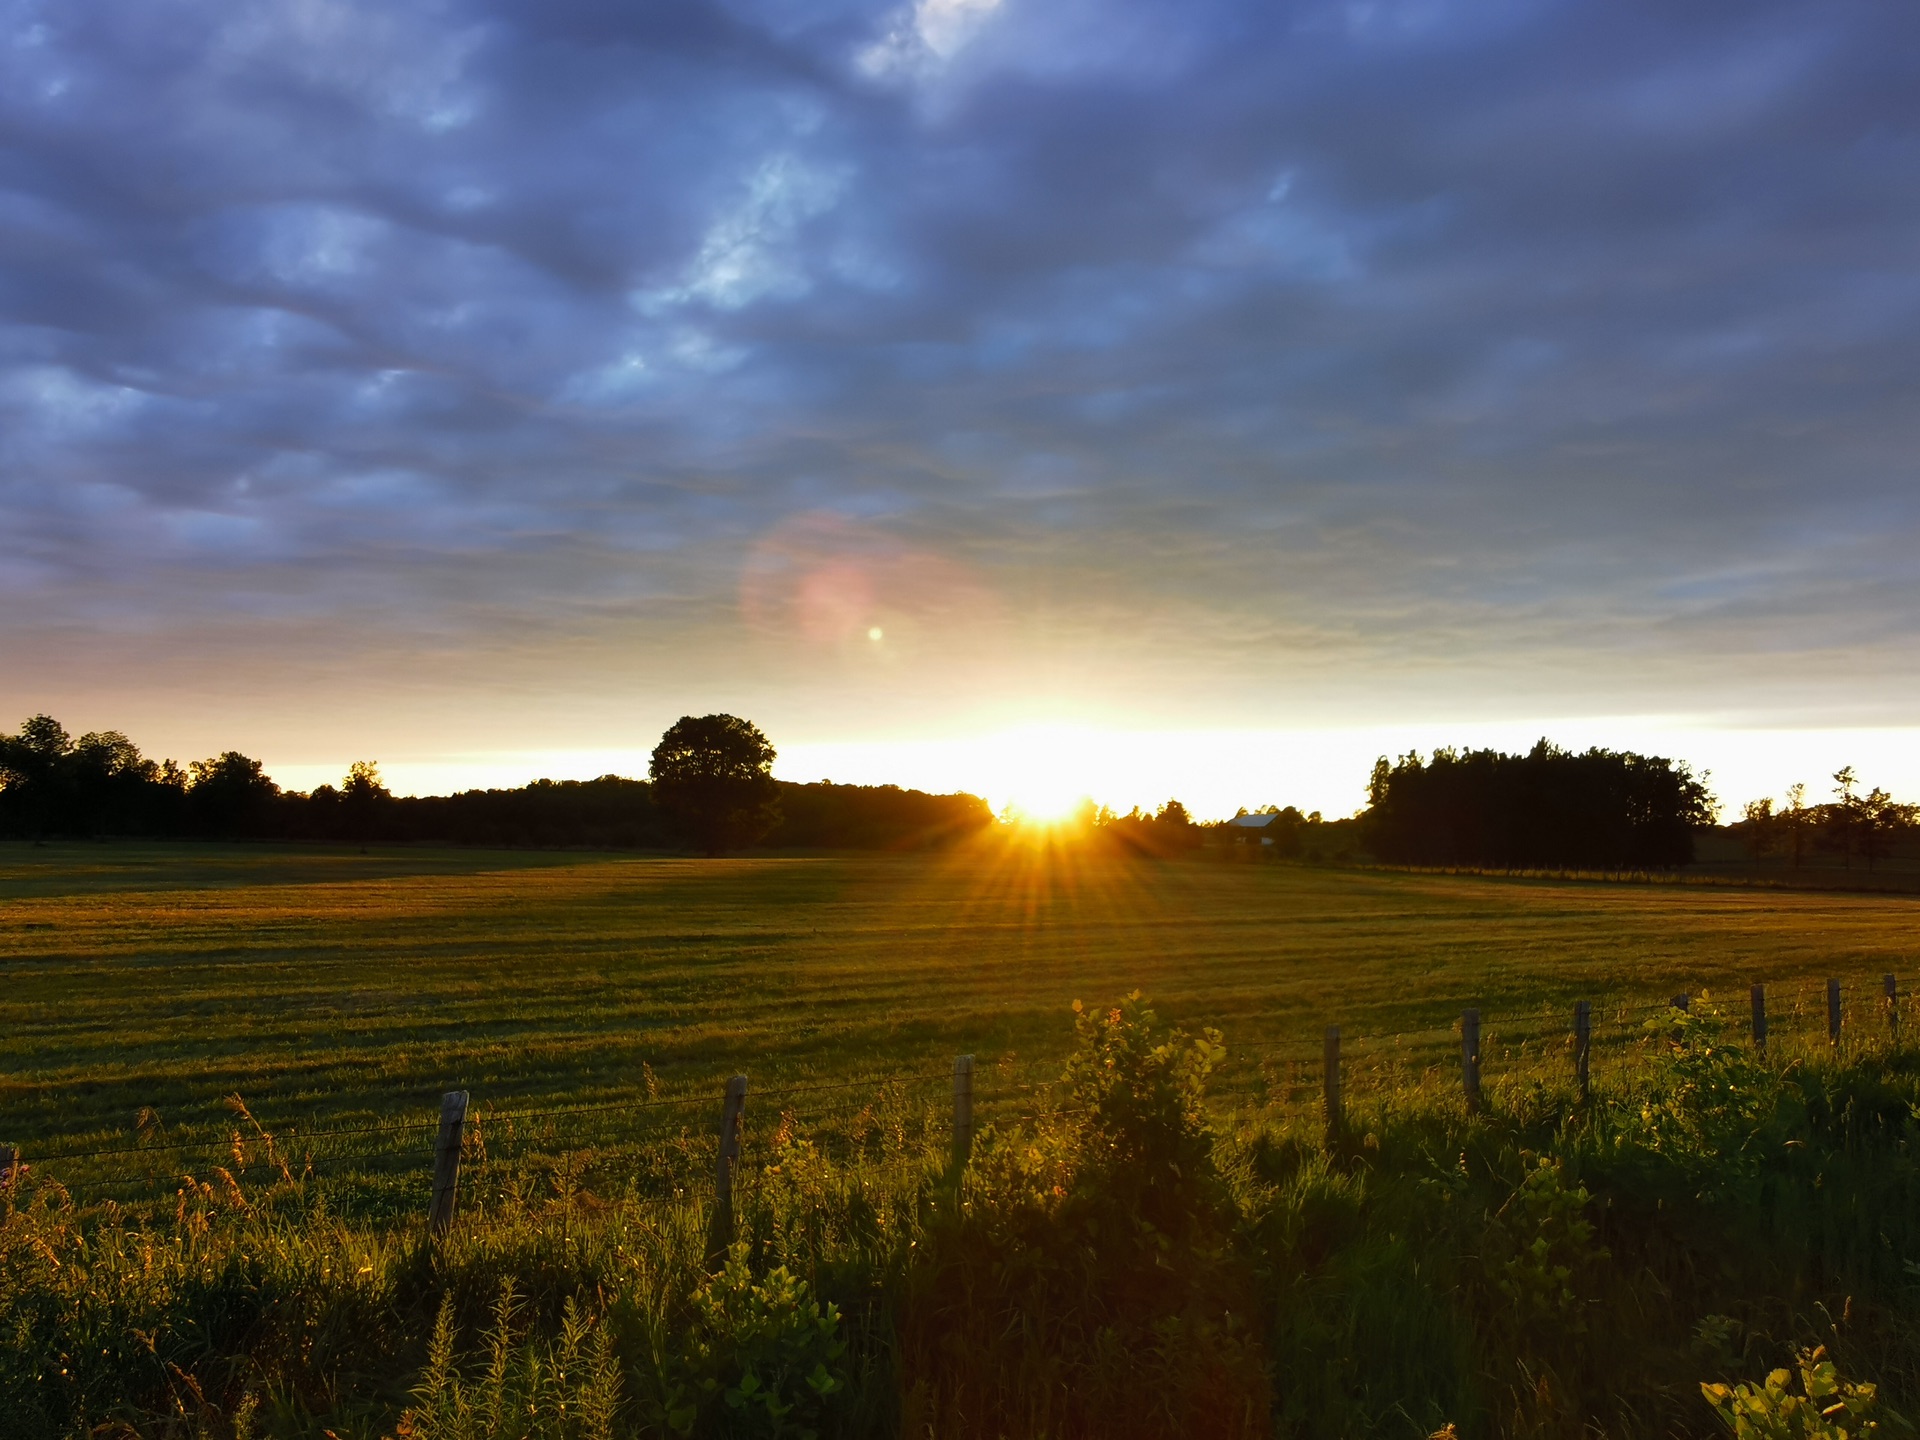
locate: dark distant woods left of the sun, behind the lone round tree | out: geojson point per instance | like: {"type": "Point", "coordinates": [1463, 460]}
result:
{"type": "Point", "coordinates": [99, 786]}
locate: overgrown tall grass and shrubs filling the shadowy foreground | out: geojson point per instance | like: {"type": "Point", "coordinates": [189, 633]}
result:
{"type": "Point", "coordinates": [1126, 1264]}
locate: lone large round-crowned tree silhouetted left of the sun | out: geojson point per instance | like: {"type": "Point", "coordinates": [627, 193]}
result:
{"type": "Point", "coordinates": [715, 780]}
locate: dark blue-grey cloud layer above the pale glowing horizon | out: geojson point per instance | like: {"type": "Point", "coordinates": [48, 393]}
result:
{"type": "Point", "coordinates": [1364, 327]}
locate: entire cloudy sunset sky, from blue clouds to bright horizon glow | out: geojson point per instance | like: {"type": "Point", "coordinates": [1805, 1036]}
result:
{"type": "Point", "coordinates": [1136, 396]}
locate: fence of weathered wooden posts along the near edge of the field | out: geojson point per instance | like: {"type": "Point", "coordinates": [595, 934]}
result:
{"type": "Point", "coordinates": [675, 1143]}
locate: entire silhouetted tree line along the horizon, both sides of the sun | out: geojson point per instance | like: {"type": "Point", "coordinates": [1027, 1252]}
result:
{"type": "Point", "coordinates": [711, 788]}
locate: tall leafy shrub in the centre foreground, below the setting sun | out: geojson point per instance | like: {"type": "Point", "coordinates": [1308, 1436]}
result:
{"type": "Point", "coordinates": [1088, 1282]}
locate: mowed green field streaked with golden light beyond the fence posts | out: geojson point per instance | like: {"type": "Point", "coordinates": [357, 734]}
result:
{"type": "Point", "coordinates": [325, 984]}
